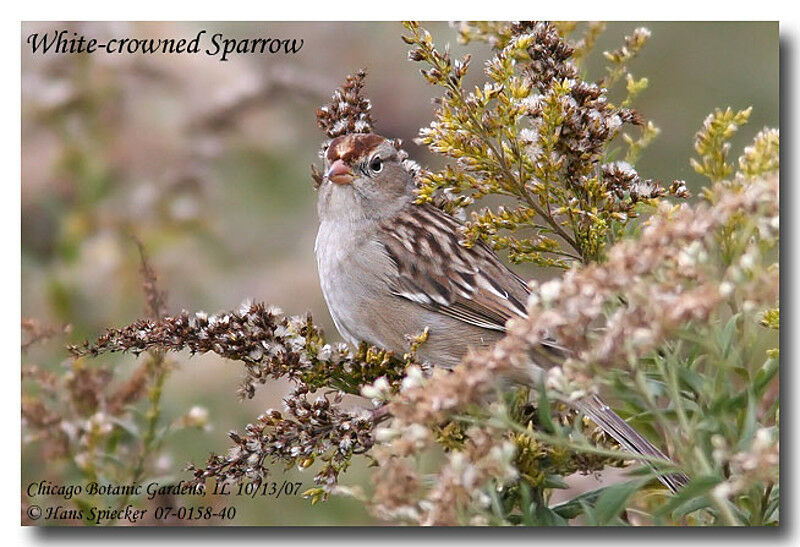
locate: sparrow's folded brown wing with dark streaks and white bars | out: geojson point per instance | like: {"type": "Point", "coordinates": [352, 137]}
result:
{"type": "Point", "coordinates": [435, 271]}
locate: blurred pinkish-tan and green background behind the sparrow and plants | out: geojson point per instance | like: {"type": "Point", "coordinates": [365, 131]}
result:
{"type": "Point", "coordinates": [207, 162]}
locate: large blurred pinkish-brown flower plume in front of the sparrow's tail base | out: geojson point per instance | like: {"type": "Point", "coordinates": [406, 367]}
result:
{"type": "Point", "coordinates": [668, 278]}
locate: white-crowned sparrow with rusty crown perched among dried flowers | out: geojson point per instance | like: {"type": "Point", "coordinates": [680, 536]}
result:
{"type": "Point", "coordinates": [389, 268]}
